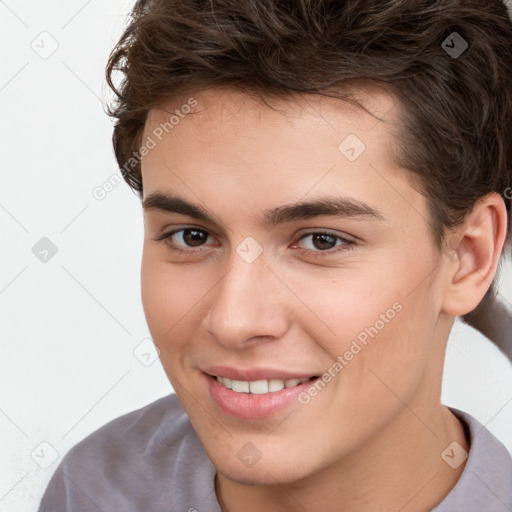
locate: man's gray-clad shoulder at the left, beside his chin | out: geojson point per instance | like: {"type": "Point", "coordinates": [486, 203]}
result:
{"type": "Point", "coordinates": [135, 462]}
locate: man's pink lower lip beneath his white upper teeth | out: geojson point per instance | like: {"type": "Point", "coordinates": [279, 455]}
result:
{"type": "Point", "coordinates": [250, 406]}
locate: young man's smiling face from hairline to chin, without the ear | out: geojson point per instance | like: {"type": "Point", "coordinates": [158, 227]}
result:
{"type": "Point", "coordinates": [286, 257]}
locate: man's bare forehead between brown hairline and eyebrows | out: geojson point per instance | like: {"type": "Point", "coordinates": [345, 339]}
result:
{"type": "Point", "coordinates": [242, 154]}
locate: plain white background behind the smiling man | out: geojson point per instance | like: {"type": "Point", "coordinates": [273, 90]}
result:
{"type": "Point", "coordinates": [71, 327]}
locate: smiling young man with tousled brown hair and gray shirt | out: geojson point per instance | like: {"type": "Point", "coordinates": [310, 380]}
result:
{"type": "Point", "coordinates": [323, 186]}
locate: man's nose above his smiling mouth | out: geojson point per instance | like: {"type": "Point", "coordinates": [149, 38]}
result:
{"type": "Point", "coordinates": [248, 305]}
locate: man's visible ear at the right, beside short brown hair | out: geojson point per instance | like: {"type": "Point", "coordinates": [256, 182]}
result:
{"type": "Point", "coordinates": [475, 252]}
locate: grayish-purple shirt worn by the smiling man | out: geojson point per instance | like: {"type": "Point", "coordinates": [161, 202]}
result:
{"type": "Point", "coordinates": [150, 460]}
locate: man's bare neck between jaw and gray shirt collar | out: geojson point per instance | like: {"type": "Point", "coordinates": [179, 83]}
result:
{"type": "Point", "coordinates": [401, 470]}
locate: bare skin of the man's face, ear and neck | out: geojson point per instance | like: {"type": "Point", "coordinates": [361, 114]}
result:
{"type": "Point", "coordinates": [372, 438]}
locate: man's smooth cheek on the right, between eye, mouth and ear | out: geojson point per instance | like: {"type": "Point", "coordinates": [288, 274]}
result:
{"type": "Point", "coordinates": [378, 327]}
